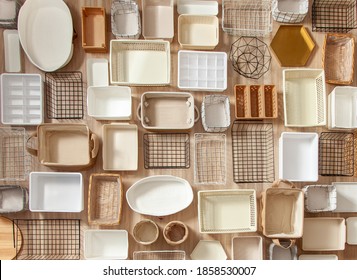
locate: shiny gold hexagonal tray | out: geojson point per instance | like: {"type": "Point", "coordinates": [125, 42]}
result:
{"type": "Point", "coordinates": [292, 45]}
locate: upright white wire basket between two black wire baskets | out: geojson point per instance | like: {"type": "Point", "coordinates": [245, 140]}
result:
{"type": "Point", "coordinates": [210, 158]}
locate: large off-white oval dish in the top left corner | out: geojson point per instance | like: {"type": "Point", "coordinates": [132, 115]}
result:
{"type": "Point", "coordinates": [45, 31]}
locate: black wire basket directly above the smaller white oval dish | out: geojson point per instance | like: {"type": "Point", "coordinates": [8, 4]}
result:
{"type": "Point", "coordinates": [166, 150]}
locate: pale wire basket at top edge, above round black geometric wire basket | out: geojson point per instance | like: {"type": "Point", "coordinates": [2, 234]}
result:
{"type": "Point", "coordinates": [247, 17]}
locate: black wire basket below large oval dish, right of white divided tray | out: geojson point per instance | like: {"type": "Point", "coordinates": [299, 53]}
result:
{"type": "Point", "coordinates": [64, 95]}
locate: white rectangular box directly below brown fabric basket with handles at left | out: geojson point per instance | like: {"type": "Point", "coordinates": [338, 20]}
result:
{"type": "Point", "coordinates": [56, 192]}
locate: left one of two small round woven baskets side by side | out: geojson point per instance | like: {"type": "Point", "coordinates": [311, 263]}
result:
{"type": "Point", "coordinates": [146, 232]}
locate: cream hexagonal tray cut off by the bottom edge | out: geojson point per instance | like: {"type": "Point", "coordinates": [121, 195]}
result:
{"type": "Point", "coordinates": [208, 250]}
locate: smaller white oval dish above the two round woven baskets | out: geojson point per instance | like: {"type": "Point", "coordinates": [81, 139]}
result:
{"type": "Point", "coordinates": [159, 195]}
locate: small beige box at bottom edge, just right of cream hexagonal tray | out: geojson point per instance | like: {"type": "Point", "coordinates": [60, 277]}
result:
{"type": "Point", "coordinates": [247, 248]}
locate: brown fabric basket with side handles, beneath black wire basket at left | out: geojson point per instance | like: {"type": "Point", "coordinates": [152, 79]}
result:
{"type": "Point", "coordinates": [73, 146]}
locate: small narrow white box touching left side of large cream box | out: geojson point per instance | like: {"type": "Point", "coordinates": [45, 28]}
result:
{"type": "Point", "coordinates": [97, 72]}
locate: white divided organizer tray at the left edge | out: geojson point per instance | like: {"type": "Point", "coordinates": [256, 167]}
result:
{"type": "Point", "coordinates": [21, 99]}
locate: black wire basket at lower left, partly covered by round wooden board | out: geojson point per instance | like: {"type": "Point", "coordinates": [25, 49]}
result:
{"type": "Point", "coordinates": [49, 239]}
